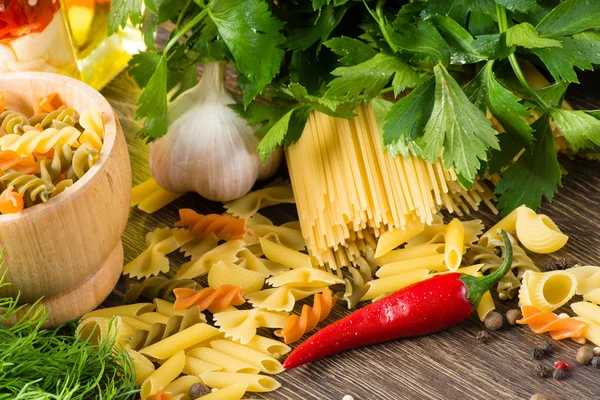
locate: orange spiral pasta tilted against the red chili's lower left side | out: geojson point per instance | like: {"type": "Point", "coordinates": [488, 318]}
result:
{"type": "Point", "coordinates": [308, 319]}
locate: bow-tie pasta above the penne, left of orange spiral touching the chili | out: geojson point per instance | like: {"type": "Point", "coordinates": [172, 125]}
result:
{"type": "Point", "coordinates": [242, 324]}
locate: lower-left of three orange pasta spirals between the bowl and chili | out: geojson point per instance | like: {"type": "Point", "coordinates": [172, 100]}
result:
{"type": "Point", "coordinates": [208, 298]}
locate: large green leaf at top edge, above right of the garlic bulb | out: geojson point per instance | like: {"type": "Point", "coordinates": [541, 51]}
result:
{"type": "Point", "coordinates": [248, 29]}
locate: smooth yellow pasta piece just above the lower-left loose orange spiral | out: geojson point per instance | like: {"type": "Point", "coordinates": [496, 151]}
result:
{"type": "Point", "coordinates": [223, 273]}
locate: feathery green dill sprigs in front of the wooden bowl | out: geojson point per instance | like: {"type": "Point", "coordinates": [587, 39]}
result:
{"type": "Point", "coordinates": [55, 364]}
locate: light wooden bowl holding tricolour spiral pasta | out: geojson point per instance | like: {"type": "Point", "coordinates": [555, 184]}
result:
{"type": "Point", "coordinates": [69, 250]}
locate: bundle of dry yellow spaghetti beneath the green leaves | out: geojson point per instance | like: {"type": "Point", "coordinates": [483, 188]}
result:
{"type": "Point", "coordinates": [349, 190]}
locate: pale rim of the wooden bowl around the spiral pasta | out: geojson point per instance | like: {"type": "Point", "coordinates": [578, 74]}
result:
{"type": "Point", "coordinates": [110, 134]}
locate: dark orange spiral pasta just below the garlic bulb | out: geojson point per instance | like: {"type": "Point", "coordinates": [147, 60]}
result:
{"type": "Point", "coordinates": [220, 225]}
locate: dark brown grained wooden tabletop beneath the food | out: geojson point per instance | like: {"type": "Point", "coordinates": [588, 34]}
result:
{"type": "Point", "coordinates": [447, 365]}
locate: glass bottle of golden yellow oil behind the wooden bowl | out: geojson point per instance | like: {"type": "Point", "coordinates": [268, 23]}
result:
{"type": "Point", "coordinates": [100, 57]}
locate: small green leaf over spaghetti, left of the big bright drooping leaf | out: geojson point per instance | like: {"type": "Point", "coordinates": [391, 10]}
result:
{"type": "Point", "coordinates": [406, 119]}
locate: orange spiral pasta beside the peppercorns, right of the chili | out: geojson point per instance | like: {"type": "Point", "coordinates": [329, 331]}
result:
{"type": "Point", "coordinates": [559, 328]}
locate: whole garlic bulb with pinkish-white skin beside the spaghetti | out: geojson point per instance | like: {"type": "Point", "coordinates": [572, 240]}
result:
{"type": "Point", "coordinates": [209, 148]}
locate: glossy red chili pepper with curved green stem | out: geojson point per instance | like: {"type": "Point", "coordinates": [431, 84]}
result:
{"type": "Point", "coordinates": [419, 309]}
